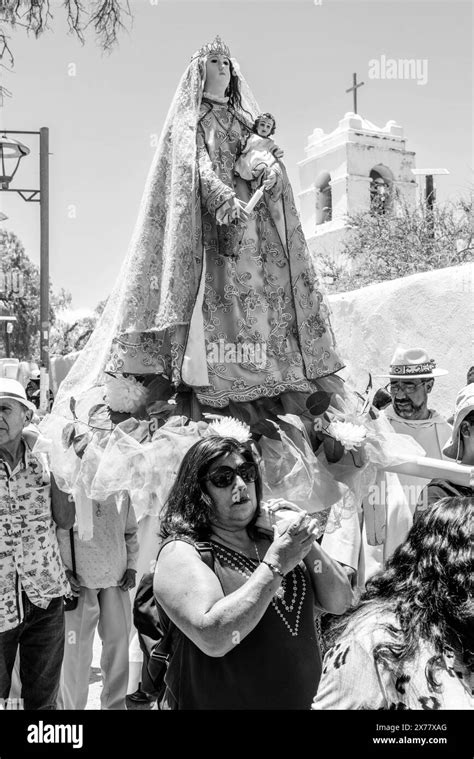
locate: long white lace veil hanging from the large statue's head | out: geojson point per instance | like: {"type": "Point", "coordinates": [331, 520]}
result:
{"type": "Point", "coordinates": [159, 278]}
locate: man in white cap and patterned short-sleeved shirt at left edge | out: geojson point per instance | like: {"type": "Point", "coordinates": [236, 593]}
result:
{"type": "Point", "coordinates": [32, 578]}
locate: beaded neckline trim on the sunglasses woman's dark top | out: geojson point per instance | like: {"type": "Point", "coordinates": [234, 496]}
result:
{"type": "Point", "coordinates": [296, 579]}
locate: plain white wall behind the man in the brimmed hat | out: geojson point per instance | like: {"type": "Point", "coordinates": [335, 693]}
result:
{"type": "Point", "coordinates": [434, 311]}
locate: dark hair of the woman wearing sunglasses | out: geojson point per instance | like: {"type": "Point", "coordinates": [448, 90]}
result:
{"type": "Point", "coordinates": [188, 508]}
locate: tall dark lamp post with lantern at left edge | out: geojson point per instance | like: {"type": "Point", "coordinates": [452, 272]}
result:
{"type": "Point", "coordinates": [11, 153]}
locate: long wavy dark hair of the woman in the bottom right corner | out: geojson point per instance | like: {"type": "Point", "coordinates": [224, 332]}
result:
{"type": "Point", "coordinates": [428, 584]}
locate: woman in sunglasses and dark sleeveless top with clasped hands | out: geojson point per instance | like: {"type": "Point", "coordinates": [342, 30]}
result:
{"type": "Point", "coordinates": [245, 630]}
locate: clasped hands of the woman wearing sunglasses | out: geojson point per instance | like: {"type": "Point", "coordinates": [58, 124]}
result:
{"type": "Point", "coordinates": [292, 541]}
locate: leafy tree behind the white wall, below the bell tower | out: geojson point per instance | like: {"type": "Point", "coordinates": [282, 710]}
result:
{"type": "Point", "coordinates": [383, 246]}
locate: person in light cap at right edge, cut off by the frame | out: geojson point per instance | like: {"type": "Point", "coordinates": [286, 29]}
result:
{"type": "Point", "coordinates": [459, 447]}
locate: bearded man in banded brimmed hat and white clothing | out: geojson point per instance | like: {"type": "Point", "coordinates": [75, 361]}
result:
{"type": "Point", "coordinates": [411, 374]}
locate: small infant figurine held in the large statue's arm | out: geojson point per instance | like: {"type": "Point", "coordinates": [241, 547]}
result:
{"type": "Point", "coordinates": [259, 158]}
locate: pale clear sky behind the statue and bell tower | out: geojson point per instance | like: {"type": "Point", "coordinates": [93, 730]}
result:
{"type": "Point", "coordinates": [104, 112]}
